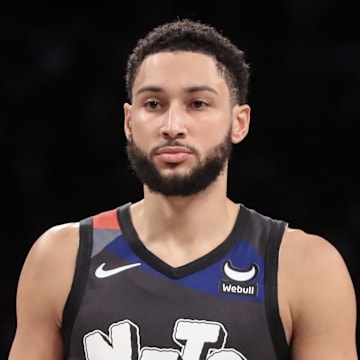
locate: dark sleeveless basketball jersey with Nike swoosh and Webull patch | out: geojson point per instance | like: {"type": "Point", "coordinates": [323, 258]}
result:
{"type": "Point", "coordinates": [127, 304]}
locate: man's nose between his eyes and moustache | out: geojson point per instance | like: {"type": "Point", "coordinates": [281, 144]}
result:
{"type": "Point", "coordinates": [174, 123]}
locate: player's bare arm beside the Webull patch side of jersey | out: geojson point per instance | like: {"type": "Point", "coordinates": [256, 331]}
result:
{"type": "Point", "coordinates": [321, 298]}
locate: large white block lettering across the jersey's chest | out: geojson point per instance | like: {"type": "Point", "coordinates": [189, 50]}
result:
{"type": "Point", "coordinates": [198, 340]}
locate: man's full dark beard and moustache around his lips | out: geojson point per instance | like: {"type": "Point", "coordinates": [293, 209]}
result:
{"type": "Point", "coordinates": [204, 173]}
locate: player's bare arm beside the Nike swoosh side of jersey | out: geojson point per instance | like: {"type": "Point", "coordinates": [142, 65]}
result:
{"type": "Point", "coordinates": [43, 288]}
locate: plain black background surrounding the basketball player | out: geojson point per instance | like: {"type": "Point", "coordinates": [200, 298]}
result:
{"type": "Point", "coordinates": [61, 122]}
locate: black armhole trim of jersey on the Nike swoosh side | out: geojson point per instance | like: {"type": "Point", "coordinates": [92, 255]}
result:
{"type": "Point", "coordinates": [79, 281]}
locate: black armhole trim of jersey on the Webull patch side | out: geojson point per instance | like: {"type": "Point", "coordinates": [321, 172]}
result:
{"type": "Point", "coordinates": [277, 332]}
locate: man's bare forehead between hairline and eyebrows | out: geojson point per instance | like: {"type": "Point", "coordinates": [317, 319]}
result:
{"type": "Point", "coordinates": [179, 69]}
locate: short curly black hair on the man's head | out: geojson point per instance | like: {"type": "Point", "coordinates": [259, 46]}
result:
{"type": "Point", "coordinates": [194, 36]}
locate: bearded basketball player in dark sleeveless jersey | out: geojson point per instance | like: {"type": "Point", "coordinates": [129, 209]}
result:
{"type": "Point", "coordinates": [185, 273]}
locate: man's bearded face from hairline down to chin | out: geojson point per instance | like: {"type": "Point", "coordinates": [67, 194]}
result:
{"type": "Point", "coordinates": [179, 126]}
